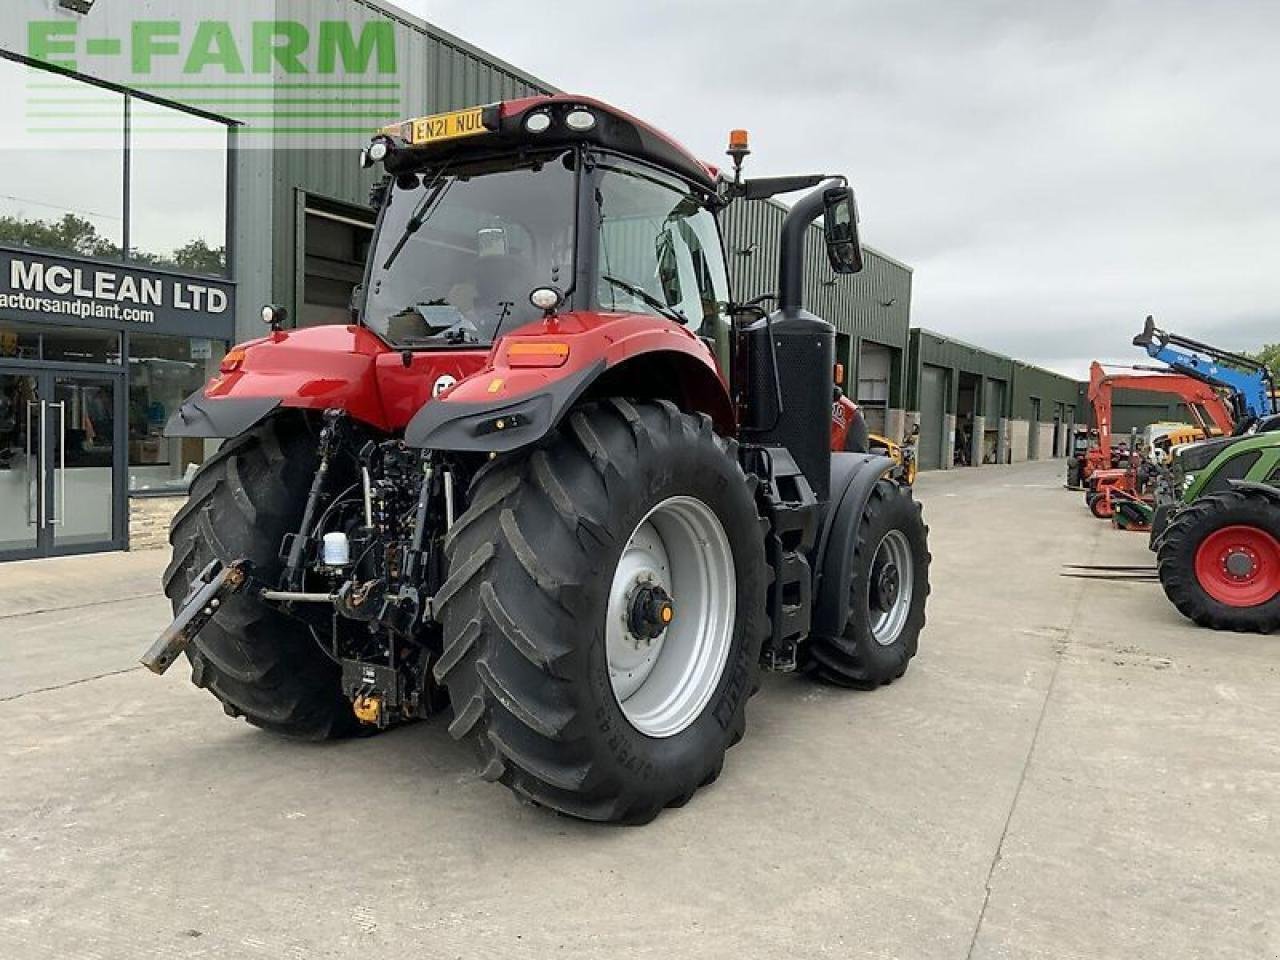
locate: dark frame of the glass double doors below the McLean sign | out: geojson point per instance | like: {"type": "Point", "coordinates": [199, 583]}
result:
{"type": "Point", "coordinates": [45, 373]}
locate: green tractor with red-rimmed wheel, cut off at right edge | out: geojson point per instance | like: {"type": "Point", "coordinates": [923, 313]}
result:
{"type": "Point", "coordinates": [1217, 533]}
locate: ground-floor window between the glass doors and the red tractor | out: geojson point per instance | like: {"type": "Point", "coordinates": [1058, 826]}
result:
{"type": "Point", "coordinates": [163, 373]}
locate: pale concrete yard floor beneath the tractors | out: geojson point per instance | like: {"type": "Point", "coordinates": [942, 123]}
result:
{"type": "Point", "coordinates": [1069, 770]}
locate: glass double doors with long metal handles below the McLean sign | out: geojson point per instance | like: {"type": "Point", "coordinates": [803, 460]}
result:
{"type": "Point", "coordinates": [60, 464]}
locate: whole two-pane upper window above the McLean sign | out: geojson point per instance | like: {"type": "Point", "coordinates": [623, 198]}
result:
{"type": "Point", "coordinates": [63, 175]}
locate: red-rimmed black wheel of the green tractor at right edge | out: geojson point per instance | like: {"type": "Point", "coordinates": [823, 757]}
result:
{"type": "Point", "coordinates": [1219, 563]}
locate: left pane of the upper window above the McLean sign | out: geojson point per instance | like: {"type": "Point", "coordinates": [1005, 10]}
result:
{"type": "Point", "coordinates": [61, 193]}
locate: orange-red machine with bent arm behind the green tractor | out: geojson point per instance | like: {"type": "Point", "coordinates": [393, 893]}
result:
{"type": "Point", "coordinates": [1103, 478]}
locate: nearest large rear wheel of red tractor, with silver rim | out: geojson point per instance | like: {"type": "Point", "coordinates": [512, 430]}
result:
{"type": "Point", "coordinates": [605, 612]}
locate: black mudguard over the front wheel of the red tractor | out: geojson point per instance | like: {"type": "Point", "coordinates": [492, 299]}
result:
{"type": "Point", "coordinates": [853, 478]}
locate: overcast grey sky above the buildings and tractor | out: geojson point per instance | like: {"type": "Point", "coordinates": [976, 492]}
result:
{"type": "Point", "coordinates": [1054, 172]}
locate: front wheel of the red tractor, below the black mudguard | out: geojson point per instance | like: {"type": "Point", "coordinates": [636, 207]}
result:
{"type": "Point", "coordinates": [886, 596]}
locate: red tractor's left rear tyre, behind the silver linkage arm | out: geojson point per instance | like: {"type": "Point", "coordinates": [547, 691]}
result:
{"type": "Point", "coordinates": [262, 665]}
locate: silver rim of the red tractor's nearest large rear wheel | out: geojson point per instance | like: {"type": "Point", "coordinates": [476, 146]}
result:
{"type": "Point", "coordinates": [678, 551]}
